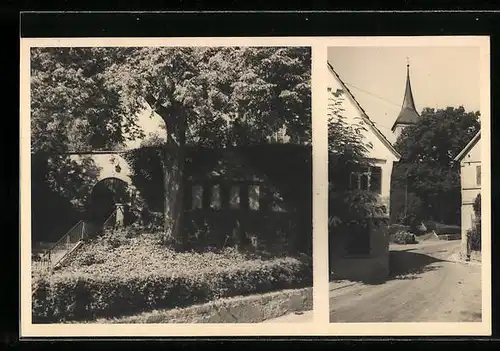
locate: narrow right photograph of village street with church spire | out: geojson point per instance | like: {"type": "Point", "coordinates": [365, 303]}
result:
{"type": "Point", "coordinates": [404, 202]}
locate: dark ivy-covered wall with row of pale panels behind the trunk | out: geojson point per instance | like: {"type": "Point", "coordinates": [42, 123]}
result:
{"type": "Point", "coordinates": [257, 196]}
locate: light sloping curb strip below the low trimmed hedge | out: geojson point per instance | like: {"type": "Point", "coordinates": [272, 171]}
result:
{"type": "Point", "coordinates": [241, 309]}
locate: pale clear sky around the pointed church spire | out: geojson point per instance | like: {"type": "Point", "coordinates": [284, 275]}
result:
{"type": "Point", "coordinates": [440, 77]}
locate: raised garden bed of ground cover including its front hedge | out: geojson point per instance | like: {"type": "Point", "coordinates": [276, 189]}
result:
{"type": "Point", "coordinates": [118, 275]}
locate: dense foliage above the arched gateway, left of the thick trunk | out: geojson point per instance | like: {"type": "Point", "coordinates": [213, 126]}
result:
{"type": "Point", "coordinates": [73, 106]}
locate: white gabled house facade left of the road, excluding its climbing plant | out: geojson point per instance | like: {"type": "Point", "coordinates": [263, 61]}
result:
{"type": "Point", "coordinates": [349, 261]}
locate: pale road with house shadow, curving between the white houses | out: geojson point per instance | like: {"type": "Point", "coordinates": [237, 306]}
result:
{"type": "Point", "coordinates": [425, 286]}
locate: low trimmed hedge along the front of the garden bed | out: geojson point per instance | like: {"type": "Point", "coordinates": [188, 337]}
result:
{"type": "Point", "coordinates": [86, 296]}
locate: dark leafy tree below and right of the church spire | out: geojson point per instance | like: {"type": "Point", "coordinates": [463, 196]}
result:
{"type": "Point", "coordinates": [427, 171]}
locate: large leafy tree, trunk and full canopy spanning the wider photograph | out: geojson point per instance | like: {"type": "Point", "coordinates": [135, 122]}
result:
{"type": "Point", "coordinates": [207, 96]}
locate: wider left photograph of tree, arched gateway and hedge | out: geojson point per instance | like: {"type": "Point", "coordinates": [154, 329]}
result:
{"type": "Point", "coordinates": [170, 184]}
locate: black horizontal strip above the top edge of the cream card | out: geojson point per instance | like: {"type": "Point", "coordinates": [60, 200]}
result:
{"type": "Point", "coordinates": [238, 24]}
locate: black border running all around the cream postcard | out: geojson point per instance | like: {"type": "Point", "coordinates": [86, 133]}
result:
{"type": "Point", "coordinates": [273, 23]}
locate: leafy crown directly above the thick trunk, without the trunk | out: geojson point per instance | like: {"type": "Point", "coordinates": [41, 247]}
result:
{"type": "Point", "coordinates": [228, 95]}
